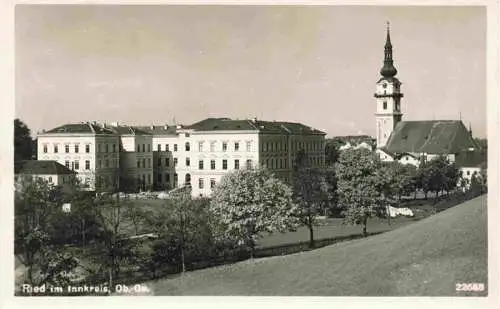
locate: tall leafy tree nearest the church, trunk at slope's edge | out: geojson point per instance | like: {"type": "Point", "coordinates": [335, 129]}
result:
{"type": "Point", "coordinates": [360, 186]}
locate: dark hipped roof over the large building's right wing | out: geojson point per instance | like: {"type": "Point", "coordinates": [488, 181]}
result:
{"type": "Point", "coordinates": [227, 124]}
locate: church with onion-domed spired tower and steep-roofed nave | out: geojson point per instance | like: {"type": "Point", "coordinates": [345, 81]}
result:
{"type": "Point", "coordinates": [413, 142]}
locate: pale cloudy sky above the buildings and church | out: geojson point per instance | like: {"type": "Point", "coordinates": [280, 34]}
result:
{"type": "Point", "coordinates": [317, 65]}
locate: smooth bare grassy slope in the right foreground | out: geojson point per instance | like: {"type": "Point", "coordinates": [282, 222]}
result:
{"type": "Point", "coordinates": [426, 258]}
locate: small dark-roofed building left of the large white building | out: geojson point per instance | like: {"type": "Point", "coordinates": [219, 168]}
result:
{"type": "Point", "coordinates": [51, 171]}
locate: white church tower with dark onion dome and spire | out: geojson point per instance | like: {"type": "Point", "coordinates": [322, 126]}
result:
{"type": "Point", "coordinates": [388, 96]}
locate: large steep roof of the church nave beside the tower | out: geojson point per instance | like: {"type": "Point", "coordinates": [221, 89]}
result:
{"type": "Point", "coordinates": [430, 136]}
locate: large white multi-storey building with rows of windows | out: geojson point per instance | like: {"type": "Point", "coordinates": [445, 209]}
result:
{"type": "Point", "coordinates": [165, 157]}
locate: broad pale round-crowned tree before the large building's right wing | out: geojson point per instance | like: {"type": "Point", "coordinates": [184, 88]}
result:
{"type": "Point", "coordinates": [249, 202]}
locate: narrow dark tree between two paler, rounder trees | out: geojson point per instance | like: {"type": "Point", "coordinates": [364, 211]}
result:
{"type": "Point", "coordinates": [310, 193]}
